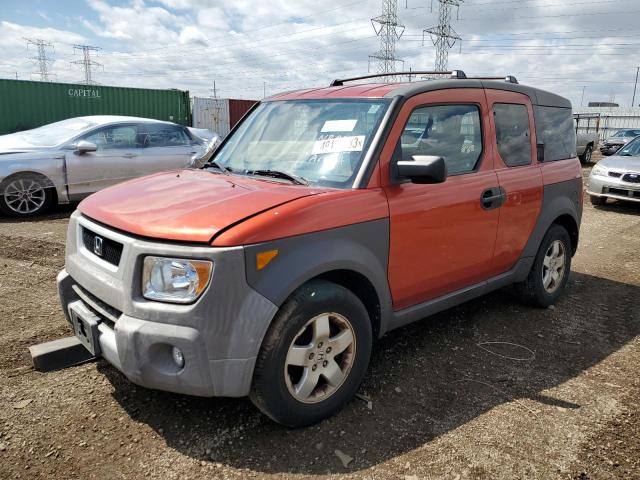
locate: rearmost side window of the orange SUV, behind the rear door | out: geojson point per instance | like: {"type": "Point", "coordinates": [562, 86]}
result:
{"type": "Point", "coordinates": [555, 129]}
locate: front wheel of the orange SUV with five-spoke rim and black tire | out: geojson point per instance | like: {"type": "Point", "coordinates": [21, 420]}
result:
{"type": "Point", "coordinates": [314, 355]}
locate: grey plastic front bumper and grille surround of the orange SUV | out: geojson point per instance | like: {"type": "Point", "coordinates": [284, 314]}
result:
{"type": "Point", "coordinates": [219, 335]}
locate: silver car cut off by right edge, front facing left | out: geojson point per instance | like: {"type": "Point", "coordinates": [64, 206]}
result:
{"type": "Point", "coordinates": [617, 176]}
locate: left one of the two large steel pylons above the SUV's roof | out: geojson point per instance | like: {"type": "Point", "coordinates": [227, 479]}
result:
{"type": "Point", "coordinates": [387, 27]}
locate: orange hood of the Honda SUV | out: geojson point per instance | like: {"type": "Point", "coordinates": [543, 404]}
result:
{"type": "Point", "coordinates": [187, 205]}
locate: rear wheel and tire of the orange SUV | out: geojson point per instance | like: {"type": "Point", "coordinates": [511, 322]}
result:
{"type": "Point", "coordinates": [550, 271]}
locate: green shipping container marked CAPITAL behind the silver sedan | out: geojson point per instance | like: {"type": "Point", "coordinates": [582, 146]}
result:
{"type": "Point", "coordinates": [26, 104]}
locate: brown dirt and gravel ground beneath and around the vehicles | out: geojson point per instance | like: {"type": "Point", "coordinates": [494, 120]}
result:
{"type": "Point", "coordinates": [491, 389]}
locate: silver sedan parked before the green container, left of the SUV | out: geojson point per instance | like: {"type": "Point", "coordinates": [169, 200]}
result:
{"type": "Point", "coordinates": [69, 160]}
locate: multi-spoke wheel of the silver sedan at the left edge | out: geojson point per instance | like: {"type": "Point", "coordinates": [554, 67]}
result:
{"type": "Point", "coordinates": [25, 196]}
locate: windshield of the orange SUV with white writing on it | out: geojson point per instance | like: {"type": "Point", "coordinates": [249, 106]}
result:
{"type": "Point", "coordinates": [320, 141]}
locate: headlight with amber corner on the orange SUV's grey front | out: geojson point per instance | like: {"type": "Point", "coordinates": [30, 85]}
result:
{"type": "Point", "coordinates": [174, 280]}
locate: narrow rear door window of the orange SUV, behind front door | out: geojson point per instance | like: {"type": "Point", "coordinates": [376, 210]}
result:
{"type": "Point", "coordinates": [512, 133]}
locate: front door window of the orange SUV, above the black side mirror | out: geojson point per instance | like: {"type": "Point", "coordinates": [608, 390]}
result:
{"type": "Point", "coordinates": [449, 131]}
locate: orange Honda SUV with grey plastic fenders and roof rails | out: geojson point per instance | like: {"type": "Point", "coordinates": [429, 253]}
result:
{"type": "Point", "coordinates": [327, 217]}
